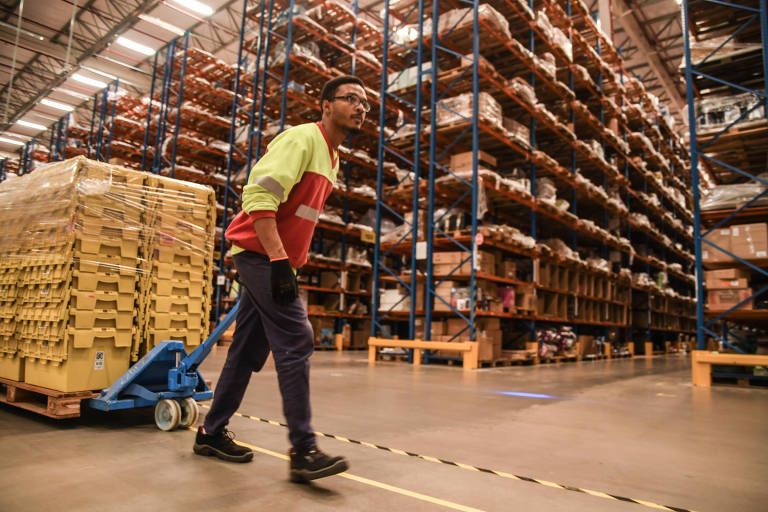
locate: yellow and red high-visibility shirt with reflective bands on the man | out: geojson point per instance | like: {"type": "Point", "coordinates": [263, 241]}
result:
{"type": "Point", "coordinates": [291, 183]}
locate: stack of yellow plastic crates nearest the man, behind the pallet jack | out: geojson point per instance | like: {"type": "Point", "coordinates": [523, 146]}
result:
{"type": "Point", "coordinates": [176, 288]}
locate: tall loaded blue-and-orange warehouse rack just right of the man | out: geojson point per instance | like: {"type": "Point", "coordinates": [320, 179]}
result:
{"type": "Point", "coordinates": [626, 152]}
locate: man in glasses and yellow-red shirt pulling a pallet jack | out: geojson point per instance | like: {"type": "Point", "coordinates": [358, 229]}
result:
{"type": "Point", "coordinates": [282, 201]}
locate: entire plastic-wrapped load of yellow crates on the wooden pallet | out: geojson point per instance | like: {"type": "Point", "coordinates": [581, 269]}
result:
{"type": "Point", "coordinates": [81, 246]}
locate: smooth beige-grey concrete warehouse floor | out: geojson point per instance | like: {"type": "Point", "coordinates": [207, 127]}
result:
{"type": "Point", "coordinates": [632, 427]}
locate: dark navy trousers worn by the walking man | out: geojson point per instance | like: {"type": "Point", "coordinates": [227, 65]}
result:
{"type": "Point", "coordinates": [262, 325]}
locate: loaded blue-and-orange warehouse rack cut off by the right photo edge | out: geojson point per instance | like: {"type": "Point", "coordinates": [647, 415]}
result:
{"type": "Point", "coordinates": [725, 73]}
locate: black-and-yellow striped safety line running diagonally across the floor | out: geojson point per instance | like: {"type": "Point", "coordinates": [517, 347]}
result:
{"type": "Point", "coordinates": [501, 474]}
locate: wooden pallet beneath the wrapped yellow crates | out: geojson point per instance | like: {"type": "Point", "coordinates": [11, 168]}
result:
{"type": "Point", "coordinates": [44, 401]}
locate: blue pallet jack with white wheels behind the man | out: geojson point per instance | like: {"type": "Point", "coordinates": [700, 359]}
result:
{"type": "Point", "coordinates": [166, 378]}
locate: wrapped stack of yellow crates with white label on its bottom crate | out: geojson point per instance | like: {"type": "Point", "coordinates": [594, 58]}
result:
{"type": "Point", "coordinates": [77, 286]}
